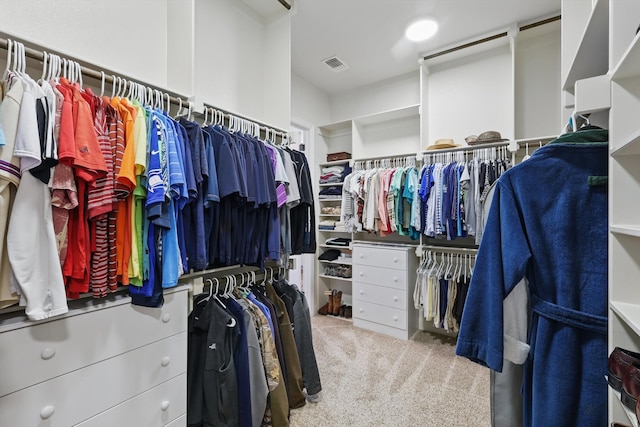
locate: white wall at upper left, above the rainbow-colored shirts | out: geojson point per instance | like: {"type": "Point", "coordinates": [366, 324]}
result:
{"type": "Point", "coordinates": [127, 37]}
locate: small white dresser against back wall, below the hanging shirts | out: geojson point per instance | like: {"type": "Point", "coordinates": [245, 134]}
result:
{"type": "Point", "coordinates": [383, 281]}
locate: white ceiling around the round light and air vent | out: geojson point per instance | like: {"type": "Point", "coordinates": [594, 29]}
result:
{"type": "Point", "coordinates": [368, 35]}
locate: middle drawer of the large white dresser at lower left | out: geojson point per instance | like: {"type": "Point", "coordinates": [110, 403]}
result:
{"type": "Point", "coordinates": [77, 396]}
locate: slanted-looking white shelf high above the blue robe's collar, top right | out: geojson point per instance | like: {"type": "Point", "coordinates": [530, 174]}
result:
{"type": "Point", "coordinates": [592, 56]}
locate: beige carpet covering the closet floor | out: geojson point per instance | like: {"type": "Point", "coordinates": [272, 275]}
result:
{"type": "Point", "coordinates": [370, 379]}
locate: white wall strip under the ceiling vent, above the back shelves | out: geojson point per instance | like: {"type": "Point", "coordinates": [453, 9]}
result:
{"type": "Point", "coordinates": [386, 95]}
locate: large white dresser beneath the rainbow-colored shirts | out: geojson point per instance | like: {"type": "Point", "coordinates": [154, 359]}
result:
{"type": "Point", "coordinates": [108, 363]}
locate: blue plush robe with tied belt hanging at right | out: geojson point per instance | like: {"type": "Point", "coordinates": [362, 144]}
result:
{"type": "Point", "coordinates": [548, 223]}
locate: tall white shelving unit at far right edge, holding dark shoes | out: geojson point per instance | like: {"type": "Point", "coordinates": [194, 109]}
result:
{"type": "Point", "coordinates": [624, 188]}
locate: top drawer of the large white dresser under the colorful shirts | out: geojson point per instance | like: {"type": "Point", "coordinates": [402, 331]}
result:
{"type": "Point", "coordinates": [33, 354]}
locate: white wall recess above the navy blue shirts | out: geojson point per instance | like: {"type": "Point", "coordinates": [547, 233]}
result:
{"type": "Point", "coordinates": [233, 47]}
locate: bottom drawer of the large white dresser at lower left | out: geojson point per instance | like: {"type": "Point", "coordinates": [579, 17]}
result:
{"type": "Point", "coordinates": [156, 407]}
